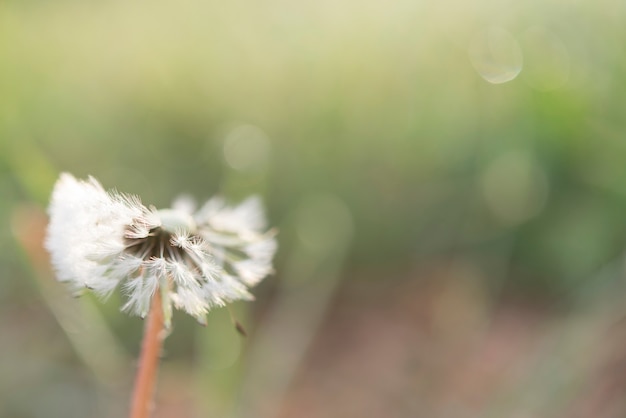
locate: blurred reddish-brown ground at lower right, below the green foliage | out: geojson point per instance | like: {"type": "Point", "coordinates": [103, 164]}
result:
{"type": "Point", "coordinates": [432, 348]}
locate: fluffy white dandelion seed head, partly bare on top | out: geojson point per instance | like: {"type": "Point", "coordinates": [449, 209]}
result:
{"type": "Point", "coordinates": [99, 240]}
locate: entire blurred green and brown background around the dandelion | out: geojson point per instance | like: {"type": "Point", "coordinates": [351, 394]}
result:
{"type": "Point", "coordinates": [448, 179]}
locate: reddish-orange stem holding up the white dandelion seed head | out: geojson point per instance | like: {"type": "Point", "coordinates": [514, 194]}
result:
{"type": "Point", "coordinates": [145, 380]}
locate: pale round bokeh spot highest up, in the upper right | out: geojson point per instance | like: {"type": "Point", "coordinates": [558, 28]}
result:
{"type": "Point", "coordinates": [496, 55]}
